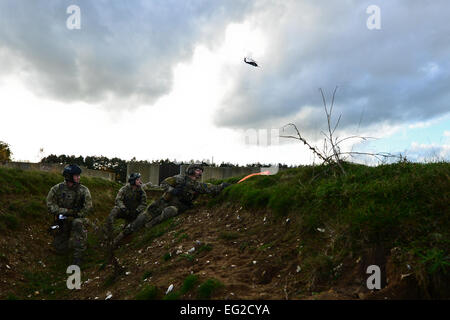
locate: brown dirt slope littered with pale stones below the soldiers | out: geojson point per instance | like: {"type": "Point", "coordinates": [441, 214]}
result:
{"type": "Point", "coordinates": [254, 255]}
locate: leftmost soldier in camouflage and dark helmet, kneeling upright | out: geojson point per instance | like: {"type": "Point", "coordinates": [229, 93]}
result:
{"type": "Point", "coordinates": [70, 202]}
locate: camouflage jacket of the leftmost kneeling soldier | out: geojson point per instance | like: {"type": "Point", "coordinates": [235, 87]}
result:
{"type": "Point", "coordinates": [63, 199]}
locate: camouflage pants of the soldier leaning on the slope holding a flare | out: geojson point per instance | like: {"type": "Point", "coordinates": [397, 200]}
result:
{"type": "Point", "coordinates": [155, 213]}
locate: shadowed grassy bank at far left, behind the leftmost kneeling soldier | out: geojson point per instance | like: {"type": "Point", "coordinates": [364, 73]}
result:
{"type": "Point", "coordinates": [23, 213]}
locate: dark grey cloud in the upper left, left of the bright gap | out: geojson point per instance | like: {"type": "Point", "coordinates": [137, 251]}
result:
{"type": "Point", "coordinates": [124, 49]}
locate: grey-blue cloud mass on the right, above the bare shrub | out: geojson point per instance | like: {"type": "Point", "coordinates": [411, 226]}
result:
{"type": "Point", "coordinates": [399, 73]}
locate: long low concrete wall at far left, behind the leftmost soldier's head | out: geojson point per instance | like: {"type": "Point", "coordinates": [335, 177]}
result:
{"type": "Point", "coordinates": [58, 168]}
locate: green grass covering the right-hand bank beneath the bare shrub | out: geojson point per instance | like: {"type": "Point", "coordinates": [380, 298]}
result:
{"type": "Point", "coordinates": [397, 205]}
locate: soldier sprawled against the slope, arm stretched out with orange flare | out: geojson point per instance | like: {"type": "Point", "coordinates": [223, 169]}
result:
{"type": "Point", "coordinates": [180, 192]}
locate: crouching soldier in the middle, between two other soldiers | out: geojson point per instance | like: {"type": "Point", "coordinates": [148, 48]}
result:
{"type": "Point", "coordinates": [131, 201]}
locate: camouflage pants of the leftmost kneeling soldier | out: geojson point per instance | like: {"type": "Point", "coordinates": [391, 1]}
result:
{"type": "Point", "coordinates": [72, 235]}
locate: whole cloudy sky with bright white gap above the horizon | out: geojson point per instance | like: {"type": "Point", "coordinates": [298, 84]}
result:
{"type": "Point", "coordinates": [166, 79]}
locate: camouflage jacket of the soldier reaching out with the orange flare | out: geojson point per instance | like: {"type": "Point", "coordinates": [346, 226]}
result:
{"type": "Point", "coordinates": [181, 188]}
